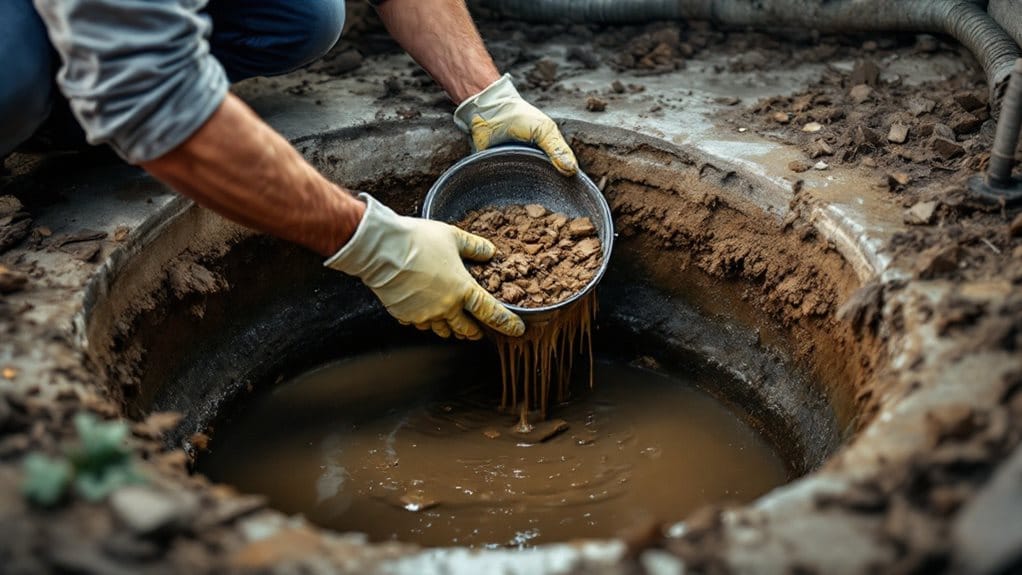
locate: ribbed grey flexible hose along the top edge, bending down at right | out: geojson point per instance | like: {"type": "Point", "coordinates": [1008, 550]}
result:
{"type": "Point", "coordinates": [964, 20]}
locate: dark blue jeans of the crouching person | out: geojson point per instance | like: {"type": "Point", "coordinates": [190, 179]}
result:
{"type": "Point", "coordinates": [250, 38]}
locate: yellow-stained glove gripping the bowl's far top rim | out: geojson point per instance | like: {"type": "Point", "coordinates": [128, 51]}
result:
{"type": "Point", "coordinates": [498, 115]}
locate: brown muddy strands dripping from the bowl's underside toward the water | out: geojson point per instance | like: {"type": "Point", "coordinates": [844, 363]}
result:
{"type": "Point", "coordinates": [531, 364]}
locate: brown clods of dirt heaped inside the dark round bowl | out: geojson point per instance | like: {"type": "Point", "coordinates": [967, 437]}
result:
{"type": "Point", "coordinates": [542, 257]}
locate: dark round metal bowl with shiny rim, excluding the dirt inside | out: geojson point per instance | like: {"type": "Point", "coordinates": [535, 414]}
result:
{"type": "Point", "coordinates": [519, 175]}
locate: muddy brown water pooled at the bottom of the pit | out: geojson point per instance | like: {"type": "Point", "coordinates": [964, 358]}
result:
{"type": "Point", "coordinates": [408, 445]}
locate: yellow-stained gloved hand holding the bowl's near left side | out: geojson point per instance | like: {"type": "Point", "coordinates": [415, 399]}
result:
{"type": "Point", "coordinates": [414, 267]}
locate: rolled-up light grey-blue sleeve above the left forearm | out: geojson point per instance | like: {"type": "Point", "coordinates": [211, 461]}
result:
{"type": "Point", "coordinates": [138, 73]}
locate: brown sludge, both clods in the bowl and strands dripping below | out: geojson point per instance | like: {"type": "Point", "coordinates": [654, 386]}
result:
{"type": "Point", "coordinates": [543, 258]}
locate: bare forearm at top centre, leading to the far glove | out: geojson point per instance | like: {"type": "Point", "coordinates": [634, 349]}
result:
{"type": "Point", "coordinates": [442, 37]}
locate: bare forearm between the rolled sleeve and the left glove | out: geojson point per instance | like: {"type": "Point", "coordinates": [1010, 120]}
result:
{"type": "Point", "coordinates": [240, 168]}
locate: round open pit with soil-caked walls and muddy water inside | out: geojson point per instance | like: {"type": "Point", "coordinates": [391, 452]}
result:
{"type": "Point", "coordinates": [702, 396]}
